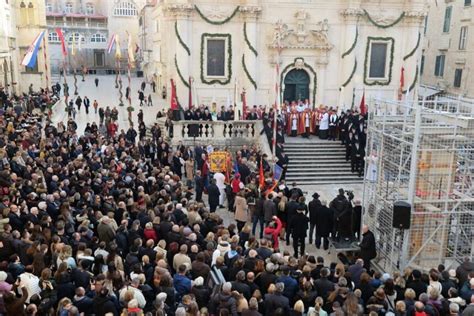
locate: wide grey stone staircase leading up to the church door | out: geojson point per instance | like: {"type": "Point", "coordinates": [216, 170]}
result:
{"type": "Point", "coordinates": [315, 161]}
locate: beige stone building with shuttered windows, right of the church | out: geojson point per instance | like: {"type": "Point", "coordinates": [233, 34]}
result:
{"type": "Point", "coordinates": [448, 51]}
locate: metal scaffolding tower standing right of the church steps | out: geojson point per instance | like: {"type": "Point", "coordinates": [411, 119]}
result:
{"type": "Point", "coordinates": [422, 153]}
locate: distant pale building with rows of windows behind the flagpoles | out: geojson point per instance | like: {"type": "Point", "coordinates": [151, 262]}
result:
{"type": "Point", "coordinates": [89, 25]}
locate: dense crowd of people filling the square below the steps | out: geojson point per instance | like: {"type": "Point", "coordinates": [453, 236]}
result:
{"type": "Point", "coordinates": [99, 223]}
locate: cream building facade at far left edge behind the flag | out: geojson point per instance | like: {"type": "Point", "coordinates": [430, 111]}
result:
{"type": "Point", "coordinates": [21, 22]}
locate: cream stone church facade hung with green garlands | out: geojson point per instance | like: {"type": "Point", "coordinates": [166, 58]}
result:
{"type": "Point", "coordinates": [326, 51]}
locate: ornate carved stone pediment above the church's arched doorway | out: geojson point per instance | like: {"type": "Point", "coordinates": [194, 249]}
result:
{"type": "Point", "coordinates": [301, 37]}
